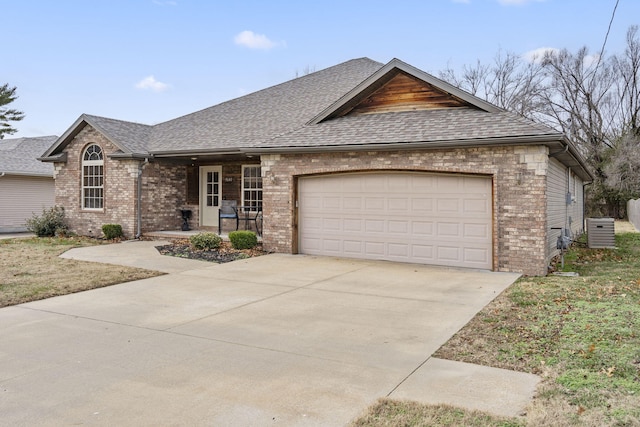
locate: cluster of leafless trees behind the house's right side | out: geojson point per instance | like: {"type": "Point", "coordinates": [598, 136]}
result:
{"type": "Point", "coordinates": [592, 98]}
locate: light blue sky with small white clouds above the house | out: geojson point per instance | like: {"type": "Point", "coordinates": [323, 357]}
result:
{"type": "Point", "coordinates": [149, 61]}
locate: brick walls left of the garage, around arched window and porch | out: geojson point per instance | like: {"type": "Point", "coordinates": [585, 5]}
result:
{"type": "Point", "coordinates": [164, 191]}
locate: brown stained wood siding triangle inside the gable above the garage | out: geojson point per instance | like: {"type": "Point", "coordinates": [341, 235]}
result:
{"type": "Point", "coordinates": [403, 92]}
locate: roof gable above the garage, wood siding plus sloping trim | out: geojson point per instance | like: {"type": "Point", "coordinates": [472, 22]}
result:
{"type": "Point", "coordinates": [399, 87]}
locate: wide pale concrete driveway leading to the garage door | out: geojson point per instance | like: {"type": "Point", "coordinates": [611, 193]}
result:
{"type": "Point", "coordinates": [273, 340]}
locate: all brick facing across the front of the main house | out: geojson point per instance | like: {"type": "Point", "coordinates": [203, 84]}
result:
{"type": "Point", "coordinates": [518, 173]}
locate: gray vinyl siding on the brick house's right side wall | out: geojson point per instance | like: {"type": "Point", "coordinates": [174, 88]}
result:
{"type": "Point", "coordinates": [561, 181]}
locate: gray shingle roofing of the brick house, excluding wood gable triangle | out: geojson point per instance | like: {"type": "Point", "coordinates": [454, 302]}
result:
{"type": "Point", "coordinates": [286, 115]}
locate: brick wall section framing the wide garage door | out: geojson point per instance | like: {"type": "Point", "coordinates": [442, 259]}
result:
{"type": "Point", "coordinates": [519, 198]}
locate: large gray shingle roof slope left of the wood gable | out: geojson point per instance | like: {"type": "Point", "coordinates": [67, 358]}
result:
{"type": "Point", "coordinates": [249, 120]}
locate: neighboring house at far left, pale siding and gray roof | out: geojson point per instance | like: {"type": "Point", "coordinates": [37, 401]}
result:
{"type": "Point", "coordinates": [26, 185]}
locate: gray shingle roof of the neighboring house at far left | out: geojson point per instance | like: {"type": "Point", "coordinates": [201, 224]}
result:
{"type": "Point", "coordinates": [19, 156]}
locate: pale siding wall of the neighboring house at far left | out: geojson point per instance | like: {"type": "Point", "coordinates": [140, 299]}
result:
{"type": "Point", "coordinates": [21, 197]}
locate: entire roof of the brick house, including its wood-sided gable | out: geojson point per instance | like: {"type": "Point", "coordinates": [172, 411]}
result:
{"type": "Point", "coordinates": [340, 107]}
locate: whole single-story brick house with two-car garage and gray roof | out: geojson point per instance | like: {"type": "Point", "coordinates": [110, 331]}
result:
{"type": "Point", "coordinates": [361, 159]}
